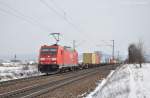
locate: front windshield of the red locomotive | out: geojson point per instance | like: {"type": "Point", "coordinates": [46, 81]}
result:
{"type": "Point", "coordinates": [51, 51]}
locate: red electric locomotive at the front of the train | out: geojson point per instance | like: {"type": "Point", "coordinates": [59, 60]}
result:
{"type": "Point", "coordinates": [55, 58]}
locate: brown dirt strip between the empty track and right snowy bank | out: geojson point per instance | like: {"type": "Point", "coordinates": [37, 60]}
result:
{"type": "Point", "coordinates": [78, 89]}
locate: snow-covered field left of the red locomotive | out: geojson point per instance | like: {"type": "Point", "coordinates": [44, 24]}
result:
{"type": "Point", "coordinates": [16, 72]}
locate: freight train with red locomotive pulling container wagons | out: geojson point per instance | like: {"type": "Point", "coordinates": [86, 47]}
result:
{"type": "Point", "coordinates": [57, 58]}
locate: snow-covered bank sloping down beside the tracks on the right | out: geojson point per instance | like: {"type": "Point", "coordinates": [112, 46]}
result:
{"type": "Point", "coordinates": [129, 81]}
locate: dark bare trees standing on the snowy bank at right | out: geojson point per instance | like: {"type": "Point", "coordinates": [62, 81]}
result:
{"type": "Point", "coordinates": [136, 53]}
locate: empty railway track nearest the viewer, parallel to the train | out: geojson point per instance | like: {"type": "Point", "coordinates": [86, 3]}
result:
{"type": "Point", "coordinates": [39, 89]}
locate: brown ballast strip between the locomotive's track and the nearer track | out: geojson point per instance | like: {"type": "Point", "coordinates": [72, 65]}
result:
{"type": "Point", "coordinates": [25, 82]}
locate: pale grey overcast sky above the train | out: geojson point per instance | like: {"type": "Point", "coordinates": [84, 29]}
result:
{"type": "Point", "coordinates": [25, 24]}
